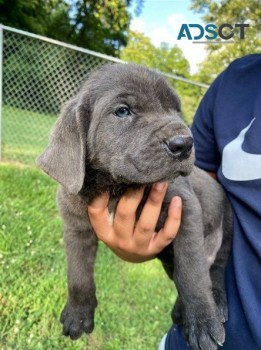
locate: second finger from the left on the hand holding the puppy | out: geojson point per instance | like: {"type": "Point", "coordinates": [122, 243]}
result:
{"type": "Point", "coordinates": [125, 215]}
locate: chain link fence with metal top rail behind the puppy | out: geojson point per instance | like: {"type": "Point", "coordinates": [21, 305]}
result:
{"type": "Point", "coordinates": [38, 75]}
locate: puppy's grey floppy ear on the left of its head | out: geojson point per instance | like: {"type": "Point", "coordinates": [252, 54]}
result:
{"type": "Point", "coordinates": [64, 158]}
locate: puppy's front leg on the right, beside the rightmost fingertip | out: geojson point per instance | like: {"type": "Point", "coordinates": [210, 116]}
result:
{"type": "Point", "coordinates": [202, 327]}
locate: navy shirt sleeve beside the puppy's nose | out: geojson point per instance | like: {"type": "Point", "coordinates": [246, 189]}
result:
{"type": "Point", "coordinates": [206, 148]}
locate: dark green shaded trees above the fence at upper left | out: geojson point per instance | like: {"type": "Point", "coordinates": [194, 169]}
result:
{"type": "Point", "coordinates": [98, 25]}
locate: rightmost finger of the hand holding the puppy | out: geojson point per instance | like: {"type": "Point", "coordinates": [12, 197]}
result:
{"type": "Point", "coordinates": [170, 229]}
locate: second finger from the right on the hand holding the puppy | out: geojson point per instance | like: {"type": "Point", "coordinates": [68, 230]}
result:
{"type": "Point", "coordinates": [151, 210]}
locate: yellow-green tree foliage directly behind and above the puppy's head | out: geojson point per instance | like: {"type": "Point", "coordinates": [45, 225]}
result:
{"type": "Point", "coordinates": [166, 59]}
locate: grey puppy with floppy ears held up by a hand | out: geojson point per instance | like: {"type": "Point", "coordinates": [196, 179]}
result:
{"type": "Point", "coordinates": [123, 130]}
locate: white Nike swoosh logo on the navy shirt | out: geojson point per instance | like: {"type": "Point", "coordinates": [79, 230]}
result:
{"type": "Point", "coordinates": [237, 164]}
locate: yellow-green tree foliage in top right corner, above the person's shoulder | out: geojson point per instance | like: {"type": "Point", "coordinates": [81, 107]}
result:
{"type": "Point", "coordinates": [229, 11]}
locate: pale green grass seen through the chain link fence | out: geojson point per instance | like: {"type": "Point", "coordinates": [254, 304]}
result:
{"type": "Point", "coordinates": [25, 134]}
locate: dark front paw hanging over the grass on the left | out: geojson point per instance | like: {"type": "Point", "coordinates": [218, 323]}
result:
{"type": "Point", "coordinates": [76, 321]}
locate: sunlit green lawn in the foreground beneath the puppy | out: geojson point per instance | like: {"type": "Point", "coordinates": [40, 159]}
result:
{"type": "Point", "coordinates": [134, 299]}
